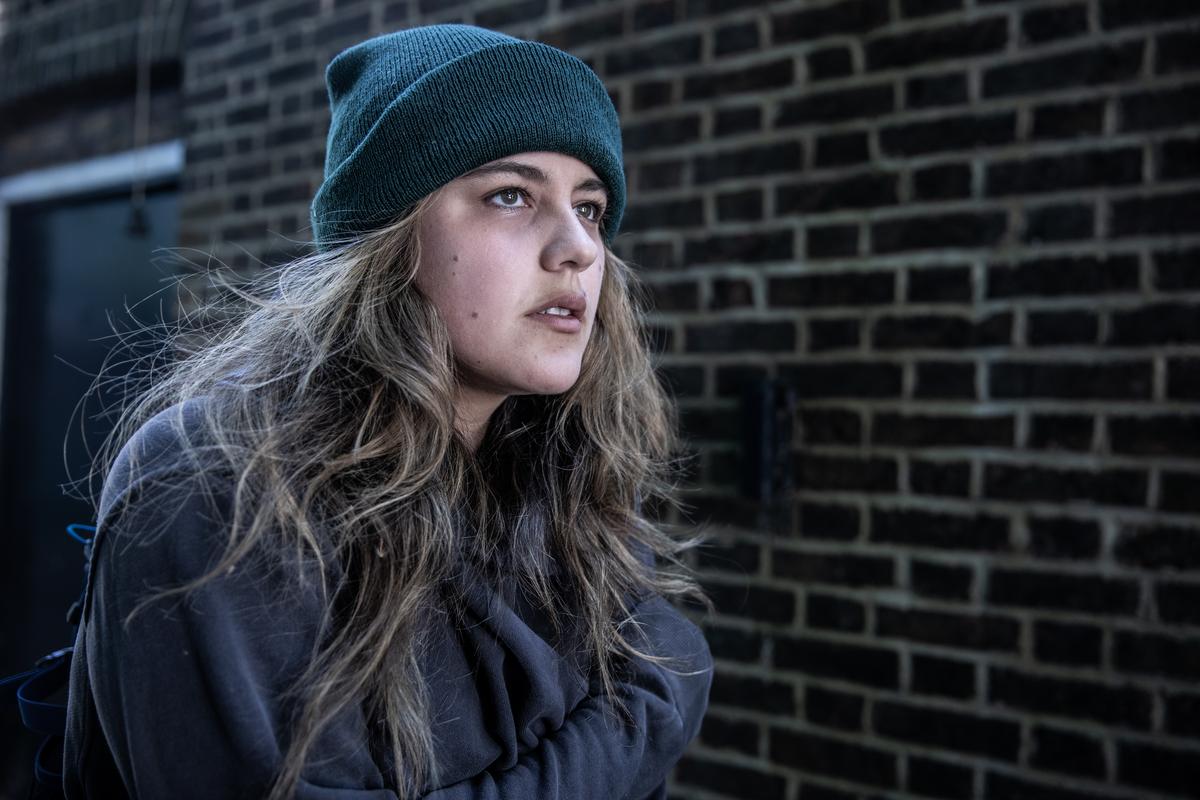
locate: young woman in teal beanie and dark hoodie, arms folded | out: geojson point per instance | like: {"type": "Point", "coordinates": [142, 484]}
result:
{"type": "Point", "coordinates": [383, 537]}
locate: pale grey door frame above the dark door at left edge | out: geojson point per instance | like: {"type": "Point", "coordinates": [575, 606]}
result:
{"type": "Point", "coordinates": [149, 165]}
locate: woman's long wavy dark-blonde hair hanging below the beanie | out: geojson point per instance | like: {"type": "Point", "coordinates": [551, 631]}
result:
{"type": "Point", "coordinates": [329, 406]}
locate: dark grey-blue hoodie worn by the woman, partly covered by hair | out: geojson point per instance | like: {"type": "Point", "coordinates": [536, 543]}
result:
{"type": "Point", "coordinates": [190, 699]}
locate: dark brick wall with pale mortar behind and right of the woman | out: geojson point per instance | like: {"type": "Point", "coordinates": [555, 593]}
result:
{"type": "Point", "coordinates": [965, 236]}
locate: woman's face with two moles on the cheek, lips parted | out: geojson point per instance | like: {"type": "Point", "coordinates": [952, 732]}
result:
{"type": "Point", "coordinates": [501, 246]}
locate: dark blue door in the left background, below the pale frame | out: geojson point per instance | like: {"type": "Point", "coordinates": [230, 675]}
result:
{"type": "Point", "coordinates": [74, 263]}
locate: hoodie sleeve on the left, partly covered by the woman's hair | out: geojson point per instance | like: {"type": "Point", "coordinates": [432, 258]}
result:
{"type": "Point", "coordinates": [191, 694]}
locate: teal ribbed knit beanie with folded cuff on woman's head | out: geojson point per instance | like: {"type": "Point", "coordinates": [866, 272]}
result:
{"type": "Point", "coordinates": [415, 110]}
